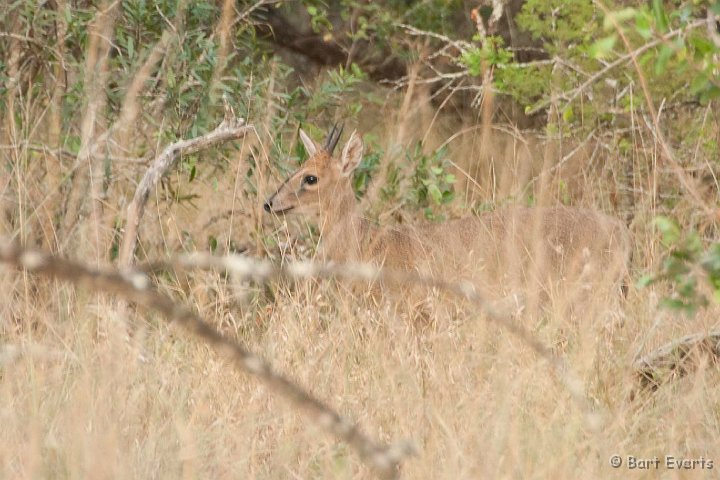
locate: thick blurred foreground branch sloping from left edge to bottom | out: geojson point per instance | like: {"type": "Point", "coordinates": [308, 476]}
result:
{"type": "Point", "coordinates": [136, 287]}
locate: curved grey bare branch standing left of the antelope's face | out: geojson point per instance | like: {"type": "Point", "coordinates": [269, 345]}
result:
{"type": "Point", "coordinates": [229, 129]}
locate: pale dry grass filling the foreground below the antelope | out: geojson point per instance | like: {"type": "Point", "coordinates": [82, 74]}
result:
{"type": "Point", "coordinates": [82, 401]}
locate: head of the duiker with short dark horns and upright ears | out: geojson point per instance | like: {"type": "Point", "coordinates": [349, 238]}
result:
{"type": "Point", "coordinates": [321, 178]}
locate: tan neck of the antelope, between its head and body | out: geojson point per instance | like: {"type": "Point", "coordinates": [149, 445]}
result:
{"type": "Point", "coordinates": [342, 229]}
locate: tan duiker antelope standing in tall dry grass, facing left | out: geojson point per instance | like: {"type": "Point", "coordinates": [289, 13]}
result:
{"type": "Point", "coordinates": [501, 251]}
